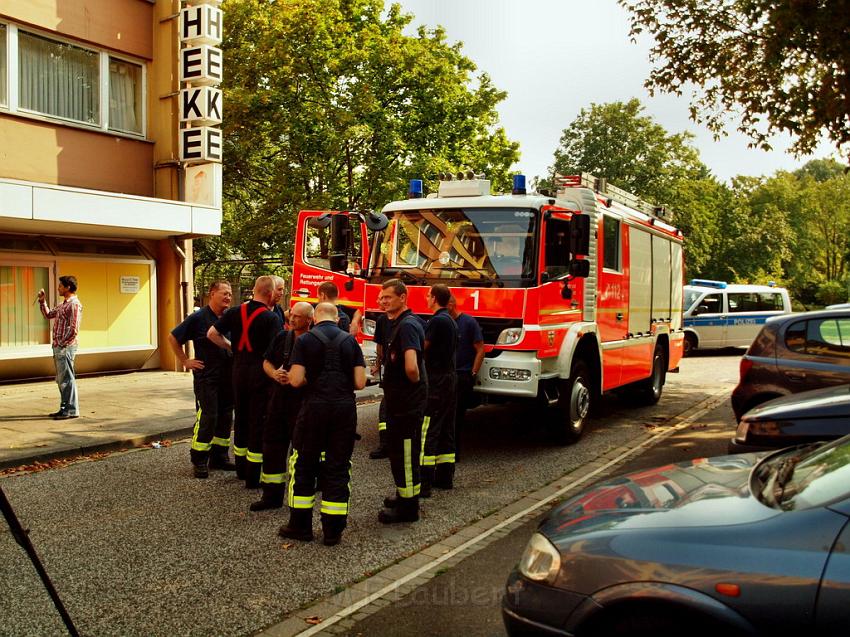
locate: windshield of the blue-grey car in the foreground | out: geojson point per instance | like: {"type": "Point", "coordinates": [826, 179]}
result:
{"type": "Point", "coordinates": [806, 477]}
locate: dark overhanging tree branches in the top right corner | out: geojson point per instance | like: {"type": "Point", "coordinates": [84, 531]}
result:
{"type": "Point", "coordinates": [783, 65]}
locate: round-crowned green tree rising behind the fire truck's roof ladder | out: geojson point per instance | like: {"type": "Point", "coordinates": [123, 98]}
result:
{"type": "Point", "coordinates": [631, 150]}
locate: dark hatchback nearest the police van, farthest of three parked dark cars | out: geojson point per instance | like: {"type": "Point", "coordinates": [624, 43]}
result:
{"type": "Point", "coordinates": [794, 353]}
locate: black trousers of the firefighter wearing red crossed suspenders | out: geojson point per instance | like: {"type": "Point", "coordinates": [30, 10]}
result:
{"type": "Point", "coordinates": [250, 389]}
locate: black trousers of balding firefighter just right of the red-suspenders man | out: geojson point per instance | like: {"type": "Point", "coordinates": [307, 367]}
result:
{"type": "Point", "coordinates": [281, 414]}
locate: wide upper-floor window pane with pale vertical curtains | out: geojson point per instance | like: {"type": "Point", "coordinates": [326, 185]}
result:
{"type": "Point", "coordinates": [58, 79]}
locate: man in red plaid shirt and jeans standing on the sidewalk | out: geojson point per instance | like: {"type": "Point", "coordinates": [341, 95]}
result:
{"type": "Point", "coordinates": [66, 326]}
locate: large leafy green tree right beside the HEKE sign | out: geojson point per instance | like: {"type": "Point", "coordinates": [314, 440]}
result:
{"type": "Point", "coordinates": [329, 106]}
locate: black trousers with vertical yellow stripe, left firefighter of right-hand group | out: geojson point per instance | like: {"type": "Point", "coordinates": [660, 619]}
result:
{"type": "Point", "coordinates": [405, 415]}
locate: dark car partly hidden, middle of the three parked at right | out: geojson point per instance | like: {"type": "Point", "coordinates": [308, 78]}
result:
{"type": "Point", "coordinates": [819, 414]}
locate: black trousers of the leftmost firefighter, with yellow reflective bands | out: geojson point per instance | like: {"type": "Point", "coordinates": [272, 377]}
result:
{"type": "Point", "coordinates": [213, 421]}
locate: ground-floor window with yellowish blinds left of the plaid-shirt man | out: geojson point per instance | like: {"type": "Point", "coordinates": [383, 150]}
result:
{"type": "Point", "coordinates": [21, 322]}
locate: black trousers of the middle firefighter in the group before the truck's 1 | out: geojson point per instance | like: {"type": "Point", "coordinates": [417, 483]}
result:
{"type": "Point", "coordinates": [439, 434]}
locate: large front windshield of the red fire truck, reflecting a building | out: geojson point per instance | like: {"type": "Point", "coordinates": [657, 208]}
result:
{"type": "Point", "coordinates": [481, 246]}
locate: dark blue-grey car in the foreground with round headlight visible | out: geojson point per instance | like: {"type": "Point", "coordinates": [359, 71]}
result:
{"type": "Point", "coordinates": [755, 544]}
